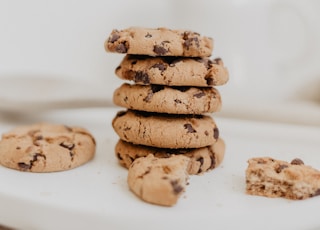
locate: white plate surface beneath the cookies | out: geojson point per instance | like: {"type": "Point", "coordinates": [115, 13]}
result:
{"type": "Point", "coordinates": [96, 196]}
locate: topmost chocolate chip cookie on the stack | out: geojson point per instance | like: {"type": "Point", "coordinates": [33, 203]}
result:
{"type": "Point", "coordinates": [159, 42]}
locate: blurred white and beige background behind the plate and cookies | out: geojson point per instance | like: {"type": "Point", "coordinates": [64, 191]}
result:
{"type": "Point", "coordinates": [52, 53]}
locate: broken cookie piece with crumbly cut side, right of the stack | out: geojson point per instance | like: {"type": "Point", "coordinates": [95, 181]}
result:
{"type": "Point", "coordinates": [275, 178]}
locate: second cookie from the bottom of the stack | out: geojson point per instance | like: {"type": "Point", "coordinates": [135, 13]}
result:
{"type": "Point", "coordinates": [165, 130]}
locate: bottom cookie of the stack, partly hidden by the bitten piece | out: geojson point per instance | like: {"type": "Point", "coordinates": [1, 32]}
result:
{"type": "Point", "coordinates": [201, 159]}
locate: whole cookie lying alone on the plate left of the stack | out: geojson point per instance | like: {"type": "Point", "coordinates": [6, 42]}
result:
{"type": "Point", "coordinates": [45, 147]}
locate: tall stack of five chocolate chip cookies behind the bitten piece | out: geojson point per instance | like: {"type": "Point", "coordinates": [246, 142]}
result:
{"type": "Point", "coordinates": [169, 105]}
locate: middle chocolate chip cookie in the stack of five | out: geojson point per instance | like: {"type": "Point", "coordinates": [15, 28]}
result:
{"type": "Point", "coordinates": [165, 99]}
